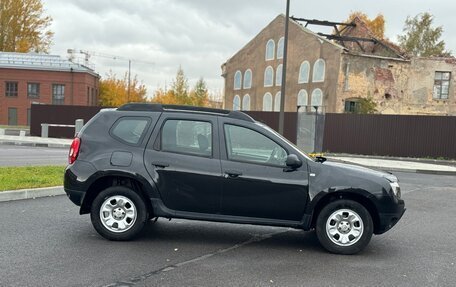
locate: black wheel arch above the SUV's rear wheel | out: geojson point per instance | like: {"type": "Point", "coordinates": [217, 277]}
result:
{"type": "Point", "coordinates": [103, 180]}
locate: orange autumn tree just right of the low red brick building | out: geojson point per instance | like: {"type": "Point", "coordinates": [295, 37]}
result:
{"type": "Point", "coordinates": [114, 92]}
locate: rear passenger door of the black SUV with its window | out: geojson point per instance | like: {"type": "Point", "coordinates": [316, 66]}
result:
{"type": "Point", "coordinates": [183, 159]}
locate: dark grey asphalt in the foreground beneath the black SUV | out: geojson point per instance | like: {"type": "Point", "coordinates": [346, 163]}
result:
{"type": "Point", "coordinates": [44, 242]}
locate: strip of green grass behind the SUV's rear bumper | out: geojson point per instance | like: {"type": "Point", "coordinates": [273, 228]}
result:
{"type": "Point", "coordinates": [12, 178]}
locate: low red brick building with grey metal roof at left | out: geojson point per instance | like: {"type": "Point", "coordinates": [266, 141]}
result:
{"type": "Point", "coordinates": [45, 79]}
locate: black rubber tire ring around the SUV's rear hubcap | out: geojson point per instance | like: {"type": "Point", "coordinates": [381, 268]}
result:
{"type": "Point", "coordinates": [141, 211]}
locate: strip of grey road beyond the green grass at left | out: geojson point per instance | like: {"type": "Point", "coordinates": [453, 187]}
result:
{"type": "Point", "coordinates": [11, 155]}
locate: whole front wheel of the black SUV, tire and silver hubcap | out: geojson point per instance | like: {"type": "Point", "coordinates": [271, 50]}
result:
{"type": "Point", "coordinates": [344, 227]}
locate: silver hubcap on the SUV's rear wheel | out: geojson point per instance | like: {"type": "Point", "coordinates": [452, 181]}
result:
{"type": "Point", "coordinates": [118, 213]}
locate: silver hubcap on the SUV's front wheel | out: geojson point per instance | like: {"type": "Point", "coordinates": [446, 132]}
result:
{"type": "Point", "coordinates": [344, 227]}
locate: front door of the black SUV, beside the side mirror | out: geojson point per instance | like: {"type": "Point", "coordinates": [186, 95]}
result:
{"type": "Point", "coordinates": [256, 182]}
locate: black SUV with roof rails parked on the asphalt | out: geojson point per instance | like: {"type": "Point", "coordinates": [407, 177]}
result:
{"type": "Point", "coordinates": [144, 161]}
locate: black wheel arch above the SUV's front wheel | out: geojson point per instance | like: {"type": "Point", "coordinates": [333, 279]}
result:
{"type": "Point", "coordinates": [348, 194]}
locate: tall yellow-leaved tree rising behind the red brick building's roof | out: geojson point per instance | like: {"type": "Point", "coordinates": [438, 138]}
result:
{"type": "Point", "coordinates": [24, 27]}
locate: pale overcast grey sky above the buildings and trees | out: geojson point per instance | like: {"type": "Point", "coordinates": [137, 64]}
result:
{"type": "Point", "coordinates": [159, 36]}
